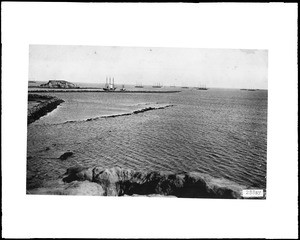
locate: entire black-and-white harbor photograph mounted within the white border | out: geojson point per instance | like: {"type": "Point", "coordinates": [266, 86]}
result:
{"type": "Point", "coordinates": [129, 121]}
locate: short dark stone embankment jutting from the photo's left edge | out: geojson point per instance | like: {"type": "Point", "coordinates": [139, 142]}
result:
{"type": "Point", "coordinates": [47, 104]}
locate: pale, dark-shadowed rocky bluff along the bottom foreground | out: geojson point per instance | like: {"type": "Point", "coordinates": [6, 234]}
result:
{"type": "Point", "coordinates": [123, 182]}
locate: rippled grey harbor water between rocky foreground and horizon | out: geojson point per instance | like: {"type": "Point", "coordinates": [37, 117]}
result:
{"type": "Point", "coordinates": [220, 132]}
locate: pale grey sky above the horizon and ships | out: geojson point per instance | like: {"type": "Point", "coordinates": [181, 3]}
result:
{"type": "Point", "coordinates": [192, 67]}
